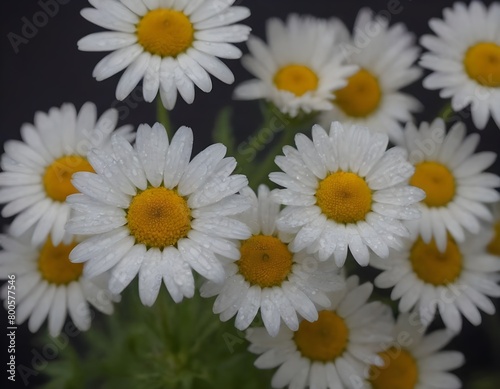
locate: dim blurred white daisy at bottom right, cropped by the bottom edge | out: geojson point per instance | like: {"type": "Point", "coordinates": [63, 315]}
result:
{"type": "Point", "coordinates": [414, 360]}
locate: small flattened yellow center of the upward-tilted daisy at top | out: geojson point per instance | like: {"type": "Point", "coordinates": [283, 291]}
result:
{"type": "Point", "coordinates": [297, 79]}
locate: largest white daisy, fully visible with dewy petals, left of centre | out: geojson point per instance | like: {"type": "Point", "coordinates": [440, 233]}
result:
{"type": "Point", "coordinates": [153, 212]}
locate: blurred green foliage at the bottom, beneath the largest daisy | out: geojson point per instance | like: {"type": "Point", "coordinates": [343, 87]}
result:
{"type": "Point", "coordinates": [178, 346]}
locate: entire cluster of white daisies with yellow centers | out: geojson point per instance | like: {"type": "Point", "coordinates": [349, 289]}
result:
{"type": "Point", "coordinates": [96, 207]}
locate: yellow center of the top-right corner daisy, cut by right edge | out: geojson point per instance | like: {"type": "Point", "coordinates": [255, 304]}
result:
{"type": "Point", "coordinates": [482, 63]}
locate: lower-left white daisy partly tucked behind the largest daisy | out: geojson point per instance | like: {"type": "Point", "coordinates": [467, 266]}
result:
{"type": "Point", "coordinates": [48, 285]}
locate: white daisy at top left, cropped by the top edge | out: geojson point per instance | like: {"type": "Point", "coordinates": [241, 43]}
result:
{"type": "Point", "coordinates": [172, 45]}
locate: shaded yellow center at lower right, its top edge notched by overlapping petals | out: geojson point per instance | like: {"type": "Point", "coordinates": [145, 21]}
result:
{"type": "Point", "coordinates": [433, 266]}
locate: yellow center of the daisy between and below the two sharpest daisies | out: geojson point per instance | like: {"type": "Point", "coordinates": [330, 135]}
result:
{"type": "Point", "coordinates": [265, 261]}
